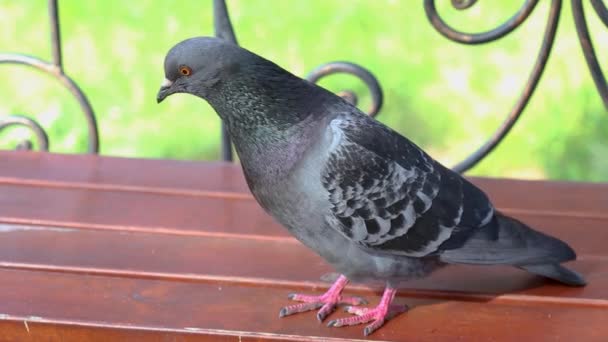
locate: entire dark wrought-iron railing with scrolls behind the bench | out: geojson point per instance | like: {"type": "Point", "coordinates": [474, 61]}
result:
{"type": "Point", "coordinates": [225, 30]}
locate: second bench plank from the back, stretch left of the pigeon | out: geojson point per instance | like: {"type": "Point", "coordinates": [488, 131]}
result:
{"type": "Point", "coordinates": [121, 210]}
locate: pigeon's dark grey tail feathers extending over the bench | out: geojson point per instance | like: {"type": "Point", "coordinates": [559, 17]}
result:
{"type": "Point", "coordinates": [508, 241]}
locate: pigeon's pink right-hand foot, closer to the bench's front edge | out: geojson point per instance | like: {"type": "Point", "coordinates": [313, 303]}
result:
{"type": "Point", "coordinates": [377, 315]}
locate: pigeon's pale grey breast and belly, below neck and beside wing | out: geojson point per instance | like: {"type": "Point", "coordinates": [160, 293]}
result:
{"type": "Point", "coordinates": [297, 199]}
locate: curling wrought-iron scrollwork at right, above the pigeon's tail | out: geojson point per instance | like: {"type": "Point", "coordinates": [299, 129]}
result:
{"type": "Point", "coordinates": [541, 60]}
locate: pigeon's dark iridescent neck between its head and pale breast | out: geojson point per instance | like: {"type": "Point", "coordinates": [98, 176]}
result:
{"type": "Point", "coordinates": [271, 120]}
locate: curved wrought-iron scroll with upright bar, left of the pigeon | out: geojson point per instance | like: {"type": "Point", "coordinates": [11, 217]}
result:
{"type": "Point", "coordinates": [54, 69]}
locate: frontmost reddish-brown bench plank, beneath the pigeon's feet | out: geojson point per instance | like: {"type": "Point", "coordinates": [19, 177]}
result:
{"type": "Point", "coordinates": [92, 302]}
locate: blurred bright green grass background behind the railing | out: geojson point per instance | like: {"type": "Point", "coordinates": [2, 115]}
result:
{"type": "Point", "coordinates": [444, 96]}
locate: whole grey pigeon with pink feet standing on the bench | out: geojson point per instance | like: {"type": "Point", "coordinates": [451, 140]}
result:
{"type": "Point", "coordinates": [366, 199]}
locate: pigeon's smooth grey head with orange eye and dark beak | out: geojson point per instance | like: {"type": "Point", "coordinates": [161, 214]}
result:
{"type": "Point", "coordinates": [197, 65]}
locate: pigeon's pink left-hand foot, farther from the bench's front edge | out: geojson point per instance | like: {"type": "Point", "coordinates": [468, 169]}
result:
{"type": "Point", "coordinates": [327, 301]}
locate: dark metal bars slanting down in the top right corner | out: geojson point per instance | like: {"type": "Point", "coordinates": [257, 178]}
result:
{"type": "Point", "coordinates": [587, 45]}
